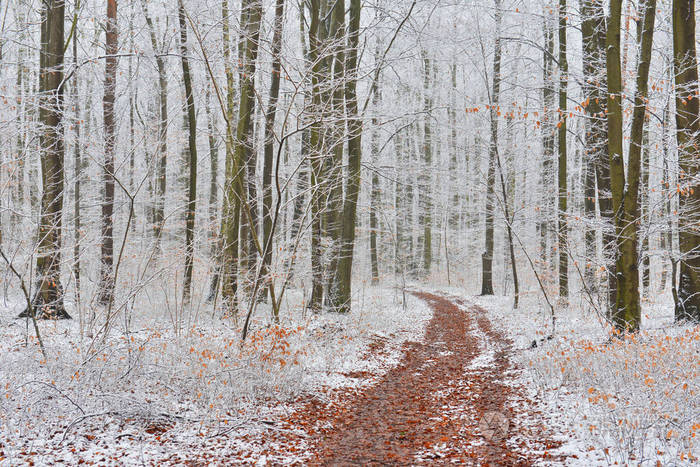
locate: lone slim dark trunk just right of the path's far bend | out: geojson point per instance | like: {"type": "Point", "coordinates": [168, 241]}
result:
{"type": "Point", "coordinates": [487, 258]}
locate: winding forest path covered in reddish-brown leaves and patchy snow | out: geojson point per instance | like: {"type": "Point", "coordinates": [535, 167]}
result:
{"type": "Point", "coordinates": [446, 402]}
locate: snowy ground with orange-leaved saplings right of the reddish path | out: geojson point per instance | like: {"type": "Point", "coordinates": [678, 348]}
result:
{"type": "Point", "coordinates": [633, 401]}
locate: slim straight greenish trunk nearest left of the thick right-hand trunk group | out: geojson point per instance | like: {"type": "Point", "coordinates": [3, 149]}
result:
{"type": "Point", "coordinates": [562, 196]}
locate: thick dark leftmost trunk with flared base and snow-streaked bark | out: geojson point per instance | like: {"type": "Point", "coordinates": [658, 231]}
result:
{"type": "Point", "coordinates": [48, 301]}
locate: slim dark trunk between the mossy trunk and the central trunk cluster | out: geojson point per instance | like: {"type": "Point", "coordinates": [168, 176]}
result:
{"type": "Point", "coordinates": [270, 116]}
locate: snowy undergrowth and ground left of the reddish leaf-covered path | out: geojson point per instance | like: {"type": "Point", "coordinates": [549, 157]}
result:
{"type": "Point", "coordinates": [157, 392]}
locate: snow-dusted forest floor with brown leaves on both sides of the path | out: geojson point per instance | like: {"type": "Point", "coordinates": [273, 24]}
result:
{"type": "Point", "coordinates": [157, 392]}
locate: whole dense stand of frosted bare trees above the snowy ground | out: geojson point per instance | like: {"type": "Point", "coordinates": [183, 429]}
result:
{"type": "Point", "coordinates": [210, 153]}
